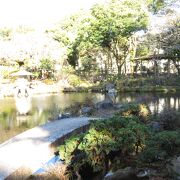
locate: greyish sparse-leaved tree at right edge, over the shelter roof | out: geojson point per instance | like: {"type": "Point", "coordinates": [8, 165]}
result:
{"type": "Point", "coordinates": [165, 44]}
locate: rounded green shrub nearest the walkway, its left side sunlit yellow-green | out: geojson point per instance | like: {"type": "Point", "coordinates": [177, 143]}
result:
{"type": "Point", "coordinates": [118, 135]}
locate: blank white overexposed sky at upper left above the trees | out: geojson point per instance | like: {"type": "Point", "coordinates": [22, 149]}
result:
{"type": "Point", "coordinates": [39, 13]}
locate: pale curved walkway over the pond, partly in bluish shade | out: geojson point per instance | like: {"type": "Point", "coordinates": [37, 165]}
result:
{"type": "Point", "coordinates": [31, 149]}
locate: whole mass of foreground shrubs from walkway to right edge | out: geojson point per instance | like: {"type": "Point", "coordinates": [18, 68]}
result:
{"type": "Point", "coordinates": [122, 141]}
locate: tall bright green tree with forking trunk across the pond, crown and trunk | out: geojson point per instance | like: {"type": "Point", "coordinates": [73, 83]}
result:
{"type": "Point", "coordinates": [111, 28]}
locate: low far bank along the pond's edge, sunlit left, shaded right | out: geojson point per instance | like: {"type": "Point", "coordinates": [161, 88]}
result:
{"type": "Point", "coordinates": [7, 90]}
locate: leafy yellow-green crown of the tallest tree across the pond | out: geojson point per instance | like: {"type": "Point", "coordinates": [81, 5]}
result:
{"type": "Point", "coordinates": [116, 20]}
